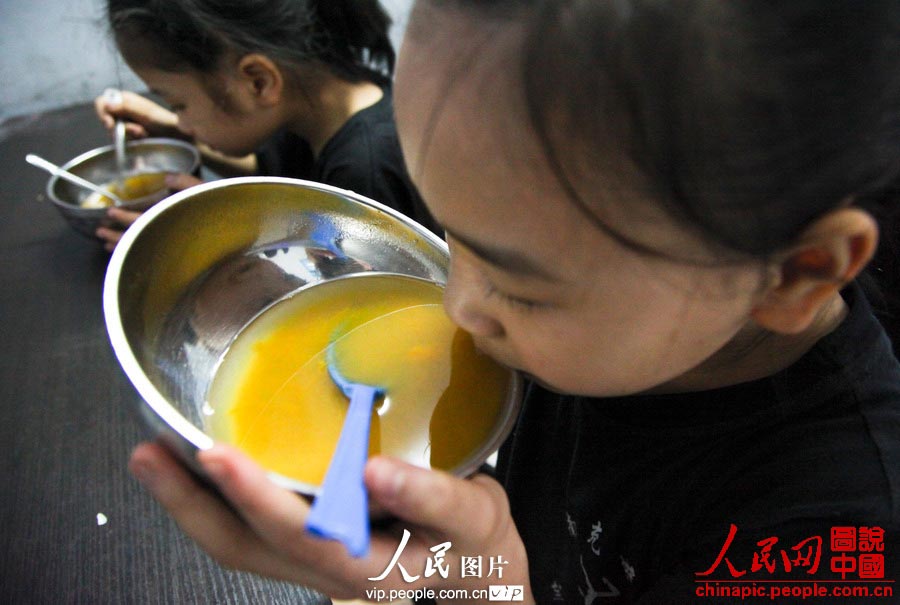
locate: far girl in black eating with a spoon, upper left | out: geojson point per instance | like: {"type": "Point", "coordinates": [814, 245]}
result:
{"type": "Point", "coordinates": [307, 84]}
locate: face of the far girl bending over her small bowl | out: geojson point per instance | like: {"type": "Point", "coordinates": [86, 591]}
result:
{"type": "Point", "coordinates": [228, 124]}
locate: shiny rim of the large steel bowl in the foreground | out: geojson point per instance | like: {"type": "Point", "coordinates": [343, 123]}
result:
{"type": "Point", "coordinates": [165, 410]}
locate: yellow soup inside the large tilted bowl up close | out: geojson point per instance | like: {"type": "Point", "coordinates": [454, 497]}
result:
{"type": "Point", "coordinates": [272, 395]}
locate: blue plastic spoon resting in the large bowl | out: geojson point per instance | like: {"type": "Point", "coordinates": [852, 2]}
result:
{"type": "Point", "coordinates": [341, 510]}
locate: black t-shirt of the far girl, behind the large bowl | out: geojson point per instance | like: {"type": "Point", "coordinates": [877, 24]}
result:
{"type": "Point", "coordinates": [363, 156]}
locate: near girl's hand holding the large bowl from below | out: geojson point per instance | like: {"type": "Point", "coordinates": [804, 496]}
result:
{"type": "Point", "coordinates": [269, 538]}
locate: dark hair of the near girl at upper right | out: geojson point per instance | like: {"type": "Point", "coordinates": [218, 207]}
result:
{"type": "Point", "coordinates": [746, 119]}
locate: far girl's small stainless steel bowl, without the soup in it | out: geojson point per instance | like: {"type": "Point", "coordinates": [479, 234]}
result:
{"type": "Point", "coordinates": [99, 166]}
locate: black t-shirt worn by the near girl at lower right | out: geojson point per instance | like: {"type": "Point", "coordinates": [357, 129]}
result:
{"type": "Point", "coordinates": [633, 499]}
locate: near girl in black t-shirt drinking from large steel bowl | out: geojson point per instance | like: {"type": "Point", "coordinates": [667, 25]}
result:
{"type": "Point", "coordinates": [658, 211]}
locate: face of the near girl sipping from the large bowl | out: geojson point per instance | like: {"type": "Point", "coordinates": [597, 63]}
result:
{"type": "Point", "coordinates": [540, 287]}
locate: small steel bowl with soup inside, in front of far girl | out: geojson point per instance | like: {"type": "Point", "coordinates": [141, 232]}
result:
{"type": "Point", "coordinates": [148, 162]}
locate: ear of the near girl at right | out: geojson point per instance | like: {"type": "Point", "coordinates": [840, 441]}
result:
{"type": "Point", "coordinates": [829, 254]}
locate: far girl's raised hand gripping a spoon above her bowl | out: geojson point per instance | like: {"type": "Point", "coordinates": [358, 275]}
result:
{"type": "Point", "coordinates": [143, 117]}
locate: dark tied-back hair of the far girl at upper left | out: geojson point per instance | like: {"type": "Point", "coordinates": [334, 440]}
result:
{"type": "Point", "coordinates": [349, 37]}
